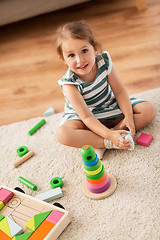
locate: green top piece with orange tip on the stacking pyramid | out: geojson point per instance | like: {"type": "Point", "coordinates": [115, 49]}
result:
{"type": "Point", "coordinates": [88, 154]}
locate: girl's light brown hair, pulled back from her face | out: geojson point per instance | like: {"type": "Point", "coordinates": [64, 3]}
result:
{"type": "Point", "coordinates": [75, 30]}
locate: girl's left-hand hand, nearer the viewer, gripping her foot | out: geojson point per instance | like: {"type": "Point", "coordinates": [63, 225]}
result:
{"type": "Point", "coordinates": [118, 140]}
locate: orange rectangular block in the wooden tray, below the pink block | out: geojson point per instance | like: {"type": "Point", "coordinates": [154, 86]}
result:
{"type": "Point", "coordinates": [41, 232]}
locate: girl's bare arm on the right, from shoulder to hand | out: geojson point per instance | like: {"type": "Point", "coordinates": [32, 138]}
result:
{"type": "Point", "coordinates": [123, 100]}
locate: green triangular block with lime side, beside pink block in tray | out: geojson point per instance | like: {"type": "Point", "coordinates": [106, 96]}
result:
{"type": "Point", "coordinates": [36, 220]}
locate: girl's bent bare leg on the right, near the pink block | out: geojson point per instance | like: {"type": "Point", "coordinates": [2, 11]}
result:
{"type": "Point", "coordinates": [143, 114]}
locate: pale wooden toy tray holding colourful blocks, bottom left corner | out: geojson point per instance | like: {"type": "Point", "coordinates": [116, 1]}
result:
{"type": "Point", "coordinates": [22, 207]}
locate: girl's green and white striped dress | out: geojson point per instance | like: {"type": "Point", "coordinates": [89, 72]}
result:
{"type": "Point", "coordinates": [98, 94]}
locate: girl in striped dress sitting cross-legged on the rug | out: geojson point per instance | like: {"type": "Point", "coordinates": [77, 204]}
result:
{"type": "Point", "coordinates": [98, 110]}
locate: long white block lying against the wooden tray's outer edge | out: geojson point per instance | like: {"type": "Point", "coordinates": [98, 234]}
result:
{"type": "Point", "coordinates": [50, 195]}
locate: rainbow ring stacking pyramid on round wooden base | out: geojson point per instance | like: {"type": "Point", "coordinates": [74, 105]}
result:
{"type": "Point", "coordinates": [98, 183]}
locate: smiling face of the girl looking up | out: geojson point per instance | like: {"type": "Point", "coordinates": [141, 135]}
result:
{"type": "Point", "coordinates": [79, 55]}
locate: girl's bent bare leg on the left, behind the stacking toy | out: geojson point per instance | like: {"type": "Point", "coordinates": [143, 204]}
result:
{"type": "Point", "coordinates": [75, 134]}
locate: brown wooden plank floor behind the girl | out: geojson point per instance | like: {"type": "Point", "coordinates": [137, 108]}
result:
{"type": "Point", "coordinates": [30, 68]}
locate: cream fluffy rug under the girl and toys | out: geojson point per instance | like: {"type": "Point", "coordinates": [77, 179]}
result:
{"type": "Point", "coordinates": [132, 212]}
